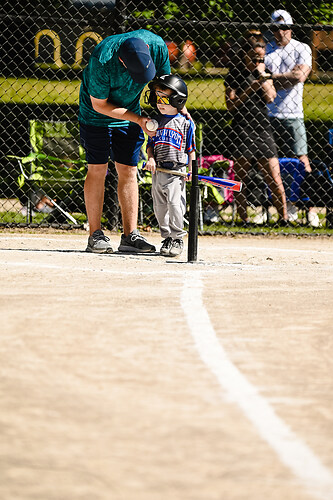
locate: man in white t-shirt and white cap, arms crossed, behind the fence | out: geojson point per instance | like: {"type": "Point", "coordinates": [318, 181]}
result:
{"type": "Point", "coordinates": [290, 62]}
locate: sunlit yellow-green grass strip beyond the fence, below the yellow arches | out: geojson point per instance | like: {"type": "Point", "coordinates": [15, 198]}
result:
{"type": "Point", "coordinates": [203, 94]}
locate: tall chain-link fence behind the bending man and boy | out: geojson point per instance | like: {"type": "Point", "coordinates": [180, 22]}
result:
{"type": "Point", "coordinates": [217, 48]}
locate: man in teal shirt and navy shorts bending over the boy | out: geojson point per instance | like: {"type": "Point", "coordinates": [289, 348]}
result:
{"type": "Point", "coordinates": [111, 125]}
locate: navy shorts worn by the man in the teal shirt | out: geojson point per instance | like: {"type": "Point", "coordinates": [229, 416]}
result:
{"type": "Point", "coordinates": [121, 144]}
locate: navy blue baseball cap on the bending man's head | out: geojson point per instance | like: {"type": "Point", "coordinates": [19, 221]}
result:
{"type": "Point", "coordinates": [136, 56]}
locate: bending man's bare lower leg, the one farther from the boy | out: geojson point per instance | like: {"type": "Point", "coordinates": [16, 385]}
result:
{"type": "Point", "coordinates": [94, 195]}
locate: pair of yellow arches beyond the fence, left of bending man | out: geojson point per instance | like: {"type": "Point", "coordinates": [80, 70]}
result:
{"type": "Point", "coordinates": [58, 64]}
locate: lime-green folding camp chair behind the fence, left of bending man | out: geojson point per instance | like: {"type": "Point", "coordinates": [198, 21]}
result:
{"type": "Point", "coordinates": [55, 168]}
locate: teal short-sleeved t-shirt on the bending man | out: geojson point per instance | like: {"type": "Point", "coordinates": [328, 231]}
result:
{"type": "Point", "coordinates": [105, 77]}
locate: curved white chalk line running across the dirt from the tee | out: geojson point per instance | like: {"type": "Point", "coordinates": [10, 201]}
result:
{"type": "Point", "coordinates": [292, 452]}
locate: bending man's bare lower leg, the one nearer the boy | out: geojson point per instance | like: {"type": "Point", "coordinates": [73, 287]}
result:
{"type": "Point", "coordinates": [128, 196]}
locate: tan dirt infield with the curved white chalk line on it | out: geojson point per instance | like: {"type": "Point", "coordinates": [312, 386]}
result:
{"type": "Point", "coordinates": [144, 378]}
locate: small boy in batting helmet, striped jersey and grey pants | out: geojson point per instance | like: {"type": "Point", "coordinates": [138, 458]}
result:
{"type": "Point", "coordinates": [172, 148]}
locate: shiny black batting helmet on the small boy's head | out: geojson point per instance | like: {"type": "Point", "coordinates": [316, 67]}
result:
{"type": "Point", "coordinates": [179, 94]}
